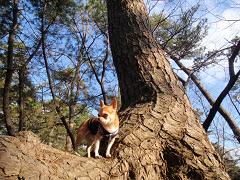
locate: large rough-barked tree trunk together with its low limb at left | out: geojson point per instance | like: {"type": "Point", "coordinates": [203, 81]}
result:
{"type": "Point", "coordinates": [160, 136]}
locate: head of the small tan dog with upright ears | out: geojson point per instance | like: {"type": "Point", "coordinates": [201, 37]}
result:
{"type": "Point", "coordinates": [107, 114]}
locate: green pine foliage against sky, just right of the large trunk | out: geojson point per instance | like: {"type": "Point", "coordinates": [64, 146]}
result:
{"type": "Point", "coordinates": [180, 36]}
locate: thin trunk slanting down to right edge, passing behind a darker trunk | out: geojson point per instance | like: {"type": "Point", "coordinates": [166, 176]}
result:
{"type": "Point", "coordinates": [231, 122]}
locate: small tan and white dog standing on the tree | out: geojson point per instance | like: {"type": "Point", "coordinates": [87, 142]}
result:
{"type": "Point", "coordinates": [93, 130]}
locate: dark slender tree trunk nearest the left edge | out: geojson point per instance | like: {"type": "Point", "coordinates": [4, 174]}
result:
{"type": "Point", "coordinates": [9, 73]}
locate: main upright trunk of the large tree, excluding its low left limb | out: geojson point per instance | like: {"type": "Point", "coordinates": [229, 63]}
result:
{"type": "Point", "coordinates": [162, 137]}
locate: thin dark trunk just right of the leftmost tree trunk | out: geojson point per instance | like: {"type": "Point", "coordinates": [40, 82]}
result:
{"type": "Point", "coordinates": [21, 101]}
